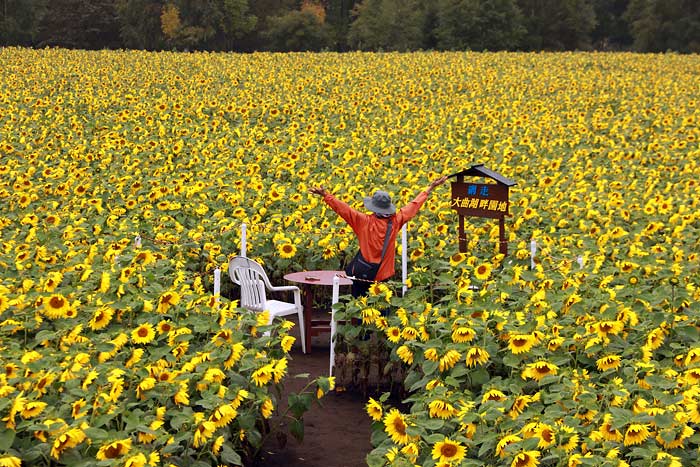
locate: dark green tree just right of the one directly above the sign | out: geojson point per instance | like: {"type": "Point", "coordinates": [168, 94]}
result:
{"type": "Point", "coordinates": [557, 24]}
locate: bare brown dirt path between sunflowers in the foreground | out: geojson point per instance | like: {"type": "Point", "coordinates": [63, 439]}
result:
{"type": "Point", "coordinates": [336, 434]}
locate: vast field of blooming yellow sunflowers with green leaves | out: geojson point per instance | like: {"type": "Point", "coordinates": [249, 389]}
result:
{"type": "Point", "coordinates": [126, 177]}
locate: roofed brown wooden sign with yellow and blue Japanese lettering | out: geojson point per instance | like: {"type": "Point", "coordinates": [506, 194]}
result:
{"type": "Point", "coordinates": [481, 200]}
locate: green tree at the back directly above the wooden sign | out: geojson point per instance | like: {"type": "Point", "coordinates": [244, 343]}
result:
{"type": "Point", "coordinates": [479, 25]}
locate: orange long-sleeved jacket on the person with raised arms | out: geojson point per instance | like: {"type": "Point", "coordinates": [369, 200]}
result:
{"type": "Point", "coordinates": [371, 230]}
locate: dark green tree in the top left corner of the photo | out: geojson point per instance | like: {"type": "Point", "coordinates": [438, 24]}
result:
{"type": "Point", "coordinates": [19, 21]}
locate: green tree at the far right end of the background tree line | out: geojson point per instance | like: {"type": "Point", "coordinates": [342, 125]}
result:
{"type": "Point", "coordinates": [660, 25]}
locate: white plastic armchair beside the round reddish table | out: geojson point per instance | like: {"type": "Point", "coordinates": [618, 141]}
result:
{"type": "Point", "coordinates": [254, 283]}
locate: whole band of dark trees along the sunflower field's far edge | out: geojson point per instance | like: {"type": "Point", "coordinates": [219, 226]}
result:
{"type": "Point", "coordinates": [342, 25]}
